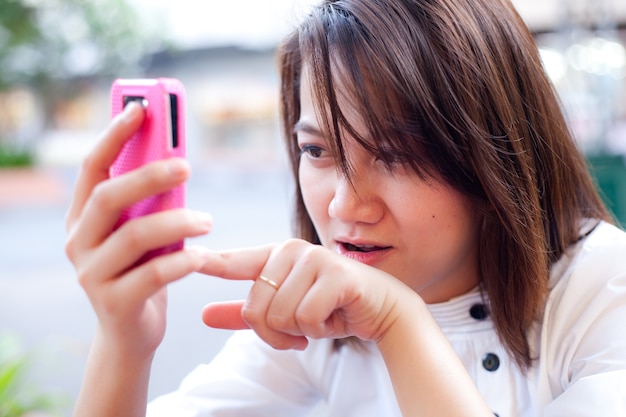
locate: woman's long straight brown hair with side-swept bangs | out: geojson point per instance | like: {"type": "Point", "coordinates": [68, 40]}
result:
{"type": "Point", "coordinates": [457, 88]}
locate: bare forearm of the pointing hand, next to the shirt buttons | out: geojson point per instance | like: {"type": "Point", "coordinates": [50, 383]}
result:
{"type": "Point", "coordinates": [428, 377]}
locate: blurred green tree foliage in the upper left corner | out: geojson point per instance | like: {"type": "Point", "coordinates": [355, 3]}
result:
{"type": "Point", "coordinates": [45, 40]}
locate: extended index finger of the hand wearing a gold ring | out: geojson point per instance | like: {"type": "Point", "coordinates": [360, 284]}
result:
{"type": "Point", "coordinates": [237, 264]}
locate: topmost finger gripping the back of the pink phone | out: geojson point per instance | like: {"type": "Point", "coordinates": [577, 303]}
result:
{"type": "Point", "coordinates": [95, 168]}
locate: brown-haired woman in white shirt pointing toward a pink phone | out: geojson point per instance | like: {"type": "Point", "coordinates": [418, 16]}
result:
{"type": "Point", "coordinates": [455, 258]}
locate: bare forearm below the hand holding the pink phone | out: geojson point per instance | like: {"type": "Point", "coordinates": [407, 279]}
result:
{"type": "Point", "coordinates": [114, 384]}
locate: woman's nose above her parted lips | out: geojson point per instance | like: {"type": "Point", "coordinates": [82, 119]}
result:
{"type": "Point", "coordinates": [356, 200]}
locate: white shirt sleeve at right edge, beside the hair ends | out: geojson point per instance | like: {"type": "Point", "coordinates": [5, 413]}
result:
{"type": "Point", "coordinates": [585, 331]}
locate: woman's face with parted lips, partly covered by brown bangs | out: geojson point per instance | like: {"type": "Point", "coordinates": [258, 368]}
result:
{"type": "Point", "coordinates": [423, 232]}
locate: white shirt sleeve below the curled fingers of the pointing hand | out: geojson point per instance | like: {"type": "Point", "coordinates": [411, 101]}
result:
{"type": "Point", "coordinates": [247, 378]}
